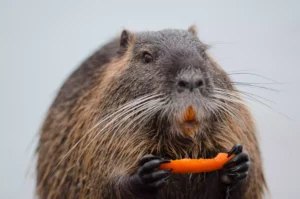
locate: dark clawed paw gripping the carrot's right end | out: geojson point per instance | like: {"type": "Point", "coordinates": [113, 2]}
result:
{"type": "Point", "coordinates": [237, 168]}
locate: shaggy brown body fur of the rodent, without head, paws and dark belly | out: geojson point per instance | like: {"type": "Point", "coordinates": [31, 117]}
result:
{"type": "Point", "coordinates": [99, 161]}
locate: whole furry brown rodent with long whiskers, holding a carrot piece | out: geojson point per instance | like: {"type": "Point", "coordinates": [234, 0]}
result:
{"type": "Point", "coordinates": [120, 115]}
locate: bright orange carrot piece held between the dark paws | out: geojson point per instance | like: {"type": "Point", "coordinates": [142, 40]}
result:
{"type": "Point", "coordinates": [197, 165]}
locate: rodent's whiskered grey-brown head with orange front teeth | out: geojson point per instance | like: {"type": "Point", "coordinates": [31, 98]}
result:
{"type": "Point", "coordinates": [166, 77]}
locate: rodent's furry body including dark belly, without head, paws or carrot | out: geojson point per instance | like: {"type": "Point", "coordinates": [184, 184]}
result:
{"type": "Point", "coordinates": [99, 168]}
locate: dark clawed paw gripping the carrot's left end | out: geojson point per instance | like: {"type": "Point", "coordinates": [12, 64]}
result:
{"type": "Point", "coordinates": [149, 178]}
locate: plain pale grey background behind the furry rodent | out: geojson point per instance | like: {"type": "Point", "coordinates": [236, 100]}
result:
{"type": "Point", "coordinates": [42, 42]}
